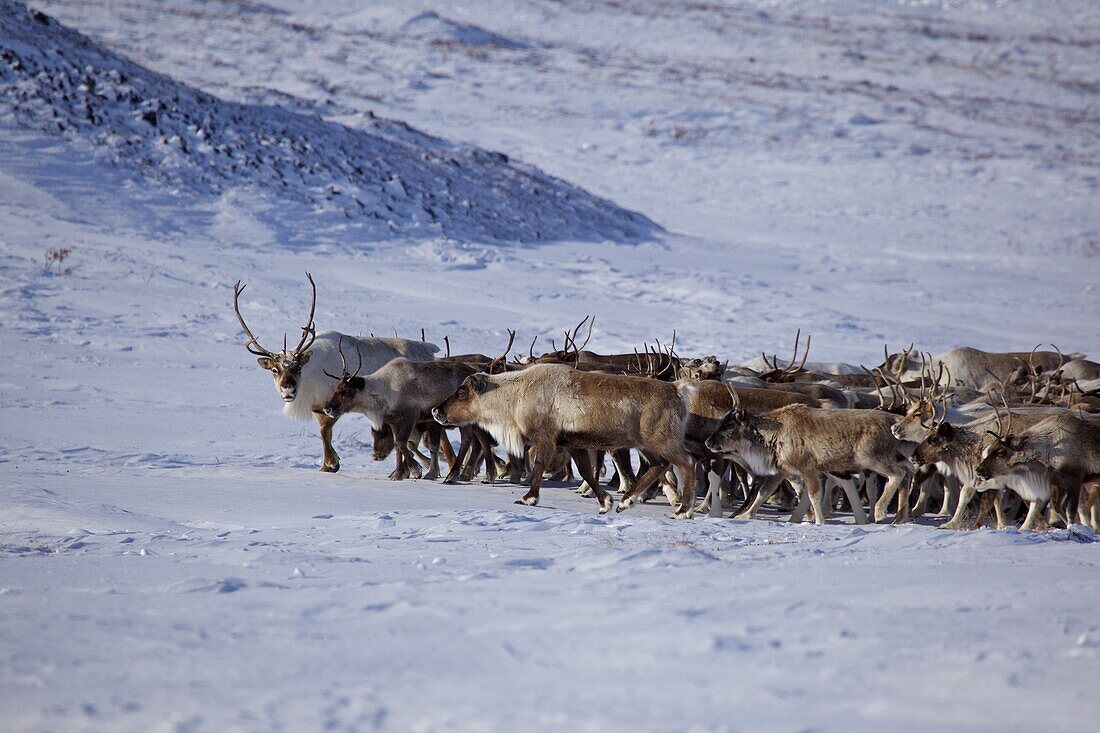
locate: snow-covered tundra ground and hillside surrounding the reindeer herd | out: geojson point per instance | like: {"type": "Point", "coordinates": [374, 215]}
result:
{"type": "Point", "coordinates": [868, 172]}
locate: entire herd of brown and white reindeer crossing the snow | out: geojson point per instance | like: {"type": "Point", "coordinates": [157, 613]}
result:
{"type": "Point", "coordinates": [912, 434]}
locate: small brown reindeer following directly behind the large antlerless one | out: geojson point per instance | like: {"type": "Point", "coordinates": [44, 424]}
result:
{"type": "Point", "coordinates": [799, 444]}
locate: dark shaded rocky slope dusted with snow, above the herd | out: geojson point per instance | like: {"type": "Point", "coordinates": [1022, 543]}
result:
{"type": "Point", "coordinates": [387, 177]}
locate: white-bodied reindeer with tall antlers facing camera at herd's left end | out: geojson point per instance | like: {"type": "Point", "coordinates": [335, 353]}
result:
{"type": "Point", "coordinates": [300, 373]}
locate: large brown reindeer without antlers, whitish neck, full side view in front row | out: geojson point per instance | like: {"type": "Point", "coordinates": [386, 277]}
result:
{"type": "Point", "coordinates": [553, 407]}
